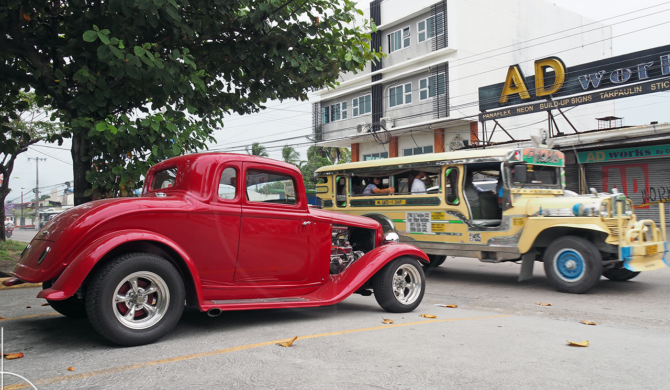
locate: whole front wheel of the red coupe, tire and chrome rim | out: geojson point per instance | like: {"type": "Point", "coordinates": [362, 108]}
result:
{"type": "Point", "coordinates": [399, 286]}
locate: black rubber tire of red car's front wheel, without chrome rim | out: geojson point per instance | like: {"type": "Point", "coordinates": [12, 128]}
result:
{"type": "Point", "coordinates": [382, 285]}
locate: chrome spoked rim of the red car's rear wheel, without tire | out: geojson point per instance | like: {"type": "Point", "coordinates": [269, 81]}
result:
{"type": "Point", "coordinates": [141, 300]}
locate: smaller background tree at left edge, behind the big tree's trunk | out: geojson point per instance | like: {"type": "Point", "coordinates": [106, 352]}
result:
{"type": "Point", "coordinates": [22, 123]}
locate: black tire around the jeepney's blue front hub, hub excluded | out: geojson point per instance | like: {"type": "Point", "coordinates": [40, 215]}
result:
{"type": "Point", "coordinates": [593, 266]}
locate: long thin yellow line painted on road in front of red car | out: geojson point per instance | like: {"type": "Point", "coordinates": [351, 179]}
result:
{"type": "Point", "coordinates": [113, 370]}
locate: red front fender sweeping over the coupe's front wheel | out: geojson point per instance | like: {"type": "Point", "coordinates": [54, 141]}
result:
{"type": "Point", "coordinates": [354, 277]}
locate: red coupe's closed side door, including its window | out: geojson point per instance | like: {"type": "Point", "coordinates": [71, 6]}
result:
{"type": "Point", "coordinates": [275, 244]}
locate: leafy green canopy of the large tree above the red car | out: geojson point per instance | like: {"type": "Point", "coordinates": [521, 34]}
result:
{"type": "Point", "coordinates": [138, 81]}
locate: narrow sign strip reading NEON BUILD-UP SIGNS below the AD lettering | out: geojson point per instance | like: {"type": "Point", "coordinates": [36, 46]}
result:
{"type": "Point", "coordinates": [593, 97]}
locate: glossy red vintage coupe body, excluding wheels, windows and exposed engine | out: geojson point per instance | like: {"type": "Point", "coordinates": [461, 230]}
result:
{"type": "Point", "coordinates": [233, 254]}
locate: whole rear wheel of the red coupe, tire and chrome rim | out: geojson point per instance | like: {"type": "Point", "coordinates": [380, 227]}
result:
{"type": "Point", "coordinates": [135, 299]}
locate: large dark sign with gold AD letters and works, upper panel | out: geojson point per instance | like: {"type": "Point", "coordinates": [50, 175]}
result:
{"type": "Point", "coordinates": [553, 79]}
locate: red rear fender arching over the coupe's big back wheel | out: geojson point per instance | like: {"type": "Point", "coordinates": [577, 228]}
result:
{"type": "Point", "coordinates": [69, 281]}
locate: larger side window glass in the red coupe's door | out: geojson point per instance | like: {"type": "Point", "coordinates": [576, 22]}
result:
{"type": "Point", "coordinates": [270, 187]}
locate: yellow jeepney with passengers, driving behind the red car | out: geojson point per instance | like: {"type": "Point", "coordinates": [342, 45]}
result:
{"type": "Point", "coordinates": [500, 205]}
